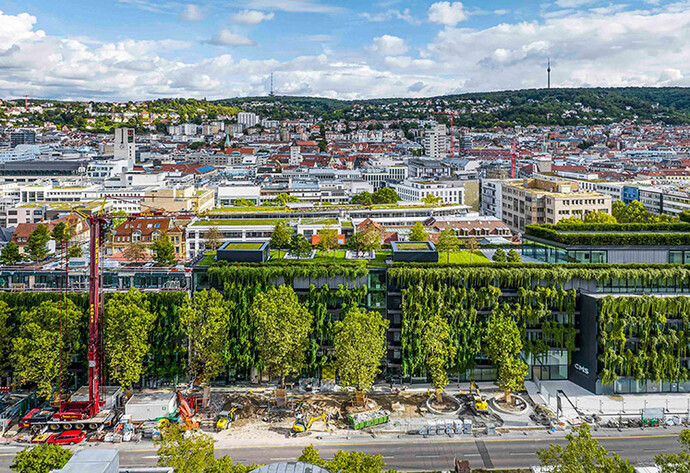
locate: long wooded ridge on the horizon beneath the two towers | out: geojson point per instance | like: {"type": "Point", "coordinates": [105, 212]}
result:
{"type": "Point", "coordinates": [486, 109]}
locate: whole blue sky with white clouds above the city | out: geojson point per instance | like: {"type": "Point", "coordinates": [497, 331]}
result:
{"type": "Point", "coordinates": [147, 49]}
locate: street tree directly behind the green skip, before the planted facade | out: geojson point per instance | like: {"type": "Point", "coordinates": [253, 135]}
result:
{"type": "Point", "coordinates": [360, 344]}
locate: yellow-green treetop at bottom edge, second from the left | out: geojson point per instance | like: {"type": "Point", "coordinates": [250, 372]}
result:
{"type": "Point", "coordinates": [184, 451]}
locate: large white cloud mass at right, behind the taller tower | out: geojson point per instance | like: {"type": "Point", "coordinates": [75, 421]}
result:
{"type": "Point", "coordinates": [589, 48]}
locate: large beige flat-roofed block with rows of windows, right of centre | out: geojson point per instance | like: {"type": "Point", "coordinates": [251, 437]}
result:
{"type": "Point", "coordinates": [534, 201]}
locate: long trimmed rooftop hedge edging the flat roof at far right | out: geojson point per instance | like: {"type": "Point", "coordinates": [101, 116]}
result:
{"type": "Point", "coordinates": [613, 239]}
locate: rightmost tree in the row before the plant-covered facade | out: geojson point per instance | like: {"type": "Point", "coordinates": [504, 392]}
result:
{"type": "Point", "coordinates": [503, 344]}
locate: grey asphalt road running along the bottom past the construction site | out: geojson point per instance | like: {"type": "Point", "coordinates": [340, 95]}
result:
{"type": "Point", "coordinates": [416, 453]}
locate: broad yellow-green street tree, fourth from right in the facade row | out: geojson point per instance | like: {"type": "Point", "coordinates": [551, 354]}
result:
{"type": "Point", "coordinates": [283, 328]}
